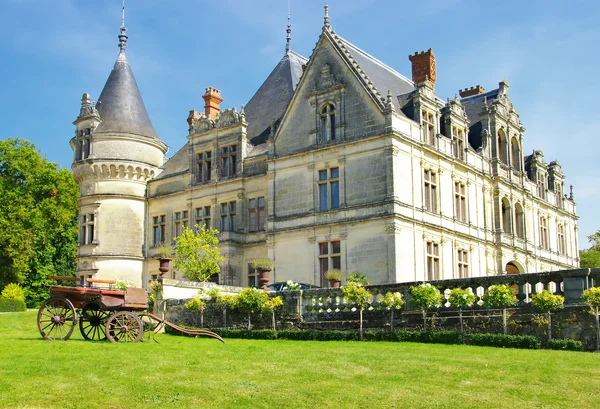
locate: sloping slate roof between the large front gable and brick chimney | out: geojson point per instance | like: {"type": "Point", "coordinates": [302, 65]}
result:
{"type": "Point", "coordinates": [383, 77]}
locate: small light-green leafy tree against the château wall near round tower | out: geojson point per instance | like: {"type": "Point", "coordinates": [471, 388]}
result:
{"type": "Point", "coordinates": [197, 253]}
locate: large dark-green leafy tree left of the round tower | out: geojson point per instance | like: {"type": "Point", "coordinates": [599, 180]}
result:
{"type": "Point", "coordinates": [38, 219]}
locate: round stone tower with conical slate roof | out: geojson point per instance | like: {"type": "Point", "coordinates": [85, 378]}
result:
{"type": "Point", "coordinates": [116, 152]}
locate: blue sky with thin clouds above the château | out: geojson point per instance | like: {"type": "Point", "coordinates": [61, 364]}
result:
{"type": "Point", "coordinates": [52, 51]}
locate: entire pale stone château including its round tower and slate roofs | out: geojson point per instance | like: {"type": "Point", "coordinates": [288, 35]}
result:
{"type": "Point", "coordinates": [337, 161]}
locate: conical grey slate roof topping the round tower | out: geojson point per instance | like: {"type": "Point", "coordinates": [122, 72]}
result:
{"type": "Point", "coordinates": [120, 105]}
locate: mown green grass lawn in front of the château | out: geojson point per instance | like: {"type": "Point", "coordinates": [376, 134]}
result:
{"type": "Point", "coordinates": [183, 372]}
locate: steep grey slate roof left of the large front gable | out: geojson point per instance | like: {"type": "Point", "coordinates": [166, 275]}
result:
{"type": "Point", "coordinates": [269, 103]}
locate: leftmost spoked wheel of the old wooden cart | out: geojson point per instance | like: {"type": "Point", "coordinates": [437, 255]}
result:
{"type": "Point", "coordinates": [57, 319]}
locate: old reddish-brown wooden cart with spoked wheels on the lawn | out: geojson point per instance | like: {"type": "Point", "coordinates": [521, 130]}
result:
{"type": "Point", "coordinates": [102, 313]}
